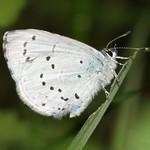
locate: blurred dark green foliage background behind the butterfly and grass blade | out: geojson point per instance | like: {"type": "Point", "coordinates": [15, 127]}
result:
{"type": "Point", "coordinates": [126, 125]}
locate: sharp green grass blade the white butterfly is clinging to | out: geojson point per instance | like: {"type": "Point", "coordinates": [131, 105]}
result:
{"type": "Point", "coordinates": [92, 122]}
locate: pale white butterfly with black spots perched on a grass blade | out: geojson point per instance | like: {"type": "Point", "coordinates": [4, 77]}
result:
{"type": "Point", "coordinates": [56, 75]}
